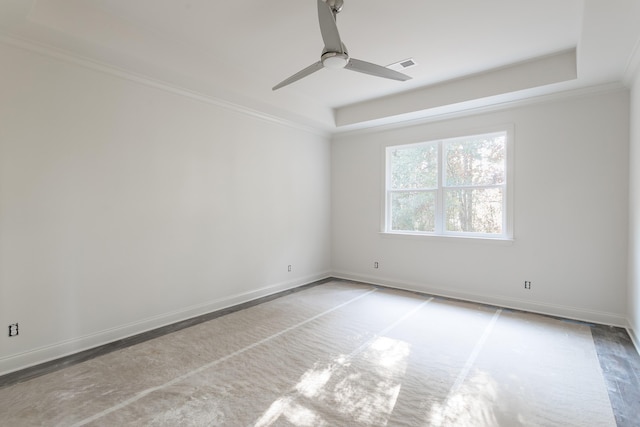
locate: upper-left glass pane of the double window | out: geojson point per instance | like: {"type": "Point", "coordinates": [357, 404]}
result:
{"type": "Point", "coordinates": [414, 167]}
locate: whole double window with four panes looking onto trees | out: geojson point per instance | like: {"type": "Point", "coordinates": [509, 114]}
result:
{"type": "Point", "coordinates": [456, 186]}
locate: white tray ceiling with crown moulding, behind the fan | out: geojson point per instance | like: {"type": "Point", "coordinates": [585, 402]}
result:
{"type": "Point", "coordinates": [468, 52]}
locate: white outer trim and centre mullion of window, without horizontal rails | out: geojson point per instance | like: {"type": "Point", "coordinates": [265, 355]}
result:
{"type": "Point", "coordinates": [508, 204]}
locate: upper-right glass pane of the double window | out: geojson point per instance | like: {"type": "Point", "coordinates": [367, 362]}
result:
{"type": "Point", "coordinates": [477, 160]}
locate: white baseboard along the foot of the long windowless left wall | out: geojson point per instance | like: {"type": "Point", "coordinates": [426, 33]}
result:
{"type": "Point", "coordinates": [44, 354]}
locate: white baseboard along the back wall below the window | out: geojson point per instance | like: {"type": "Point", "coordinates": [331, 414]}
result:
{"type": "Point", "coordinates": [567, 312]}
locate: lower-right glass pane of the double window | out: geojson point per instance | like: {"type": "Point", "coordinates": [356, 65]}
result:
{"type": "Point", "coordinates": [474, 210]}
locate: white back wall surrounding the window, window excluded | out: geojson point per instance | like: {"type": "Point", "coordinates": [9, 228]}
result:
{"type": "Point", "coordinates": [571, 213]}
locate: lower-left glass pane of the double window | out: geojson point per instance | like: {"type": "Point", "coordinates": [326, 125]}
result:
{"type": "Point", "coordinates": [413, 211]}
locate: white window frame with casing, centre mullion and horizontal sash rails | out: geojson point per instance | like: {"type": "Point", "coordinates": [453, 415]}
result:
{"type": "Point", "coordinates": [507, 217]}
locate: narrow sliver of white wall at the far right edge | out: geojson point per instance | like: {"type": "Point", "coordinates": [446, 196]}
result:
{"type": "Point", "coordinates": [634, 214]}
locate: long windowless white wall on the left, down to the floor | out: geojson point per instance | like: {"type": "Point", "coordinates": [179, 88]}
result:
{"type": "Point", "coordinates": [125, 206]}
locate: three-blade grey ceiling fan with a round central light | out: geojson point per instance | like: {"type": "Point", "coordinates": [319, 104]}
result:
{"type": "Point", "coordinates": [334, 54]}
